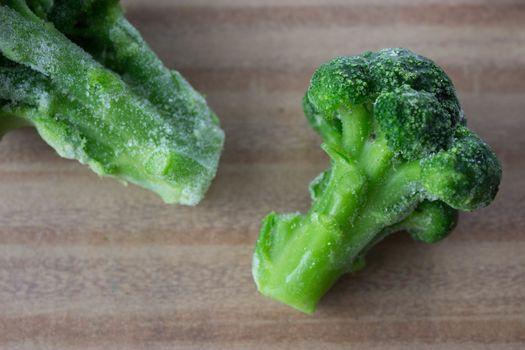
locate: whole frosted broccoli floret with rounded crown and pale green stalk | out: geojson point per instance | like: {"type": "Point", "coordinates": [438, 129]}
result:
{"type": "Point", "coordinates": [401, 159]}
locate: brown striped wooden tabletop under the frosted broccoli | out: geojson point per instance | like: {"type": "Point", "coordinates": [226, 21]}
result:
{"type": "Point", "coordinates": [86, 263]}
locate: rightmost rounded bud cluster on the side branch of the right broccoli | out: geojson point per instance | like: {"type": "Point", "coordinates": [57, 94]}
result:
{"type": "Point", "coordinates": [466, 176]}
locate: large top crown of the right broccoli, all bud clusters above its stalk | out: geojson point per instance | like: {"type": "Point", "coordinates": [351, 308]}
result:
{"type": "Point", "coordinates": [343, 92]}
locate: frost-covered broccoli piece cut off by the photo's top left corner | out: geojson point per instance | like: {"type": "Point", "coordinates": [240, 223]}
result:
{"type": "Point", "coordinates": [82, 75]}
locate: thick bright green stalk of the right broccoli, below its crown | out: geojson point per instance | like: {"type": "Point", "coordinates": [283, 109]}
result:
{"type": "Point", "coordinates": [309, 253]}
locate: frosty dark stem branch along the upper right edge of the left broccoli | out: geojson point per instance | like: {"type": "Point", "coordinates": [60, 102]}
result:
{"type": "Point", "coordinates": [113, 41]}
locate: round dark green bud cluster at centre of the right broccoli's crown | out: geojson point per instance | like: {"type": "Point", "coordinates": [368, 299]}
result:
{"type": "Point", "coordinates": [414, 123]}
